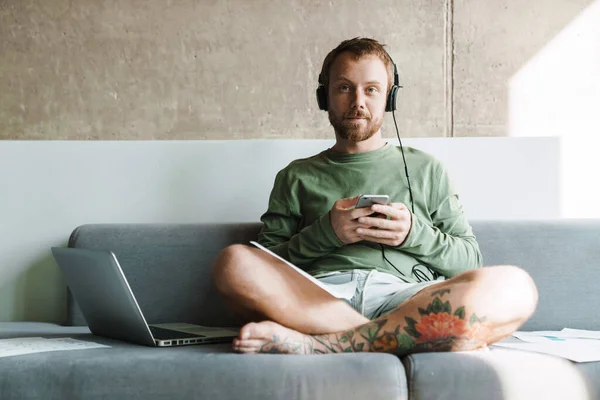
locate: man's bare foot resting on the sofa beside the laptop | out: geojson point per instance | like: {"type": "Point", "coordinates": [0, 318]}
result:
{"type": "Point", "coordinates": [270, 337]}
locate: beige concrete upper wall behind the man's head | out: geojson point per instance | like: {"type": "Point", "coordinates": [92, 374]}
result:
{"type": "Point", "coordinates": [242, 69]}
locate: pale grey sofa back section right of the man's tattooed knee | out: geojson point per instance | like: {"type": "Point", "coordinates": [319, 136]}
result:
{"type": "Point", "coordinates": [562, 256]}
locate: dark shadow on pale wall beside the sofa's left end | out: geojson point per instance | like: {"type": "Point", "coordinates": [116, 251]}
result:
{"type": "Point", "coordinates": [41, 293]}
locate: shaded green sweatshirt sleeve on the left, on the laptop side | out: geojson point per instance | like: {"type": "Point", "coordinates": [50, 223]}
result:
{"type": "Point", "coordinates": [281, 232]}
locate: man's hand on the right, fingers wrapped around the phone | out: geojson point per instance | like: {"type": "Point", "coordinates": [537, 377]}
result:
{"type": "Point", "coordinates": [392, 231]}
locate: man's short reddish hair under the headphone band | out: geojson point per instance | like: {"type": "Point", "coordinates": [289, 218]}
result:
{"type": "Point", "coordinates": [359, 47]}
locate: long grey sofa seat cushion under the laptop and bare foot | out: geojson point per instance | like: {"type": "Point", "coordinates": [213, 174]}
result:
{"type": "Point", "coordinates": [127, 371]}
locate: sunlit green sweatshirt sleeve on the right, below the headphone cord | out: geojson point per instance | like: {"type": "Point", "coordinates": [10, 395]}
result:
{"type": "Point", "coordinates": [446, 244]}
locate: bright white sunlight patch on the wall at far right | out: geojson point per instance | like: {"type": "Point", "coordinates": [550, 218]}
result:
{"type": "Point", "coordinates": [557, 93]}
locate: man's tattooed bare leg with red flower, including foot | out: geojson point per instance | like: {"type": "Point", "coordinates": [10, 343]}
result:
{"type": "Point", "coordinates": [444, 317]}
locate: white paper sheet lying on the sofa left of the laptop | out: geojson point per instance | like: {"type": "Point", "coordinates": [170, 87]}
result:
{"type": "Point", "coordinates": [29, 345]}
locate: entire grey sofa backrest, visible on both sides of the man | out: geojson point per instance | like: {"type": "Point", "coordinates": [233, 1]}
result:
{"type": "Point", "coordinates": [169, 266]}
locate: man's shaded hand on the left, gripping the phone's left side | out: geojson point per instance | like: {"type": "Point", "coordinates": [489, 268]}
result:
{"type": "Point", "coordinates": [344, 219]}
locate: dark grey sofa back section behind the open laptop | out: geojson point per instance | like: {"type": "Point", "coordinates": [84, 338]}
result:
{"type": "Point", "coordinates": [167, 266]}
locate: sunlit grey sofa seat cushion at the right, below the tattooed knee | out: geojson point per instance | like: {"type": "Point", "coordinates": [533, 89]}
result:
{"type": "Point", "coordinates": [500, 374]}
